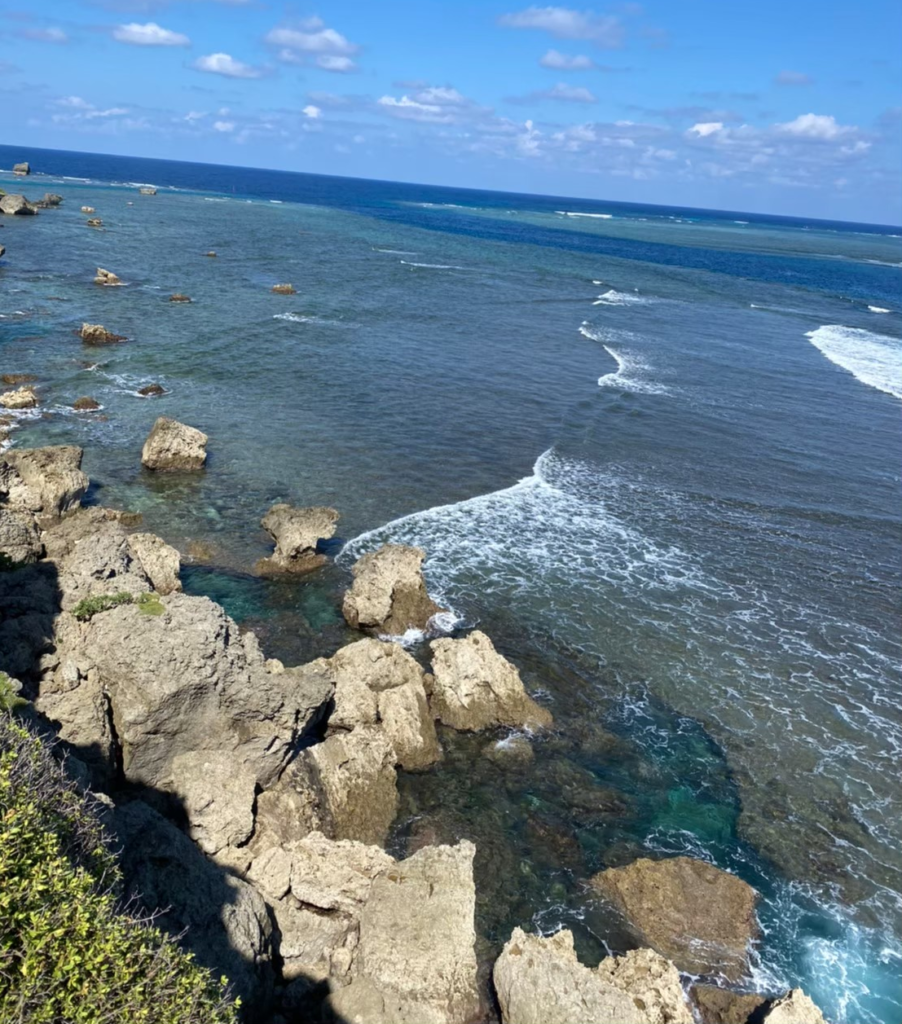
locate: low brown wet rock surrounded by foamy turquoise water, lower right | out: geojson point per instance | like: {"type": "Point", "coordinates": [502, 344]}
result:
{"type": "Point", "coordinates": [696, 915]}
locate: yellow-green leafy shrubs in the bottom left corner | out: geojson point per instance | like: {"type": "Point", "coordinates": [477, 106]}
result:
{"type": "Point", "coordinates": [70, 954]}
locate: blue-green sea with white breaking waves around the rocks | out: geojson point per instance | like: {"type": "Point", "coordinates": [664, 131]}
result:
{"type": "Point", "coordinates": [654, 452]}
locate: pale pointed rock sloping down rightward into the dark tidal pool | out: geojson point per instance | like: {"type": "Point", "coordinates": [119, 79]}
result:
{"type": "Point", "coordinates": [475, 688]}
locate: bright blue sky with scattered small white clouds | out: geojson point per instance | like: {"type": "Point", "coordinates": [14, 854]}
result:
{"type": "Point", "coordinates": [788, 107]}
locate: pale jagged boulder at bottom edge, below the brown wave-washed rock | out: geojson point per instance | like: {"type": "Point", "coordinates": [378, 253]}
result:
{"type": "Point", "coordinates": [541, 982]}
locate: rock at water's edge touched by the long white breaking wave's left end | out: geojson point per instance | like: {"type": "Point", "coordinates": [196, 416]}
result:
{"type": "Point", "coordinates": [389, 595]}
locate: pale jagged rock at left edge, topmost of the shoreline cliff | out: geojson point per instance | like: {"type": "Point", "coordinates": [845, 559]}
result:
{"type": "Point", "coordinates": [48, 482]}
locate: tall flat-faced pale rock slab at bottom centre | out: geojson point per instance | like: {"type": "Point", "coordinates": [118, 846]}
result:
{"type": "Point", "coordinates": [415, 961]}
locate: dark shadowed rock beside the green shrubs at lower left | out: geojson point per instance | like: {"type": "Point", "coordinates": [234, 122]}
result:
{"type": "Point", "coordinates": [221, 919]}
